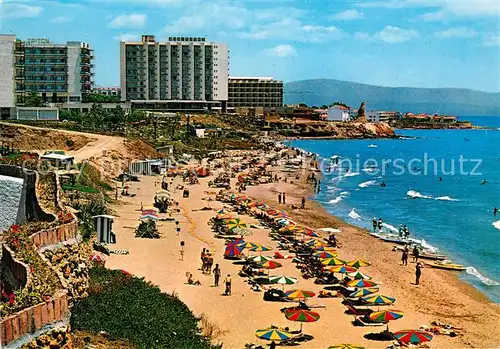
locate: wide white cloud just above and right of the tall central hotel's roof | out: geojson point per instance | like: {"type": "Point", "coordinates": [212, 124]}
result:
{"type": "Point", "coordinates": [292, 29]}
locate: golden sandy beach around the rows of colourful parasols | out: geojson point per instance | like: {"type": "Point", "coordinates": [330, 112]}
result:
{"type": "Point", "coordinates": [441, 295]}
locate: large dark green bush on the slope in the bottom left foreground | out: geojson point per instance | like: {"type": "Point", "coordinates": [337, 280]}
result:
{"type": "Point", "coordinates": [130, 308]}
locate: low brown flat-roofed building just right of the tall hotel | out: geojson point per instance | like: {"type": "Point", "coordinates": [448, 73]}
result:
{"type": "Point", "coordinates": [255, 92]}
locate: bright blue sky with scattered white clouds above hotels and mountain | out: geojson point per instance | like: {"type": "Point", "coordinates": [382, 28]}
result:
{"type": "Point", "coordinates": [417, 43]}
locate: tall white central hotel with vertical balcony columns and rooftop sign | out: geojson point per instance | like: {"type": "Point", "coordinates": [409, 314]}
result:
{"type": "Point", "coordinates": [182, 73]}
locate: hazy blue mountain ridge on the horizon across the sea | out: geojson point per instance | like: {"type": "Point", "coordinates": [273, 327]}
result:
{"type": "Point", "coordinates": [452, 101]}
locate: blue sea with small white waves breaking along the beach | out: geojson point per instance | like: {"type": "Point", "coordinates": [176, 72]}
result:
{"type": "Point", "coordinates": [453, 215]}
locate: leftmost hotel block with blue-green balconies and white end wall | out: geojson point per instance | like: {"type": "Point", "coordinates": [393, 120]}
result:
{"type": "Point", "coordinates": [59, 73]}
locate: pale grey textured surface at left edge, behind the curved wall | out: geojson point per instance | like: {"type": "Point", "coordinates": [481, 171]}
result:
{"type": "Point", "coordinates": [10, 196]}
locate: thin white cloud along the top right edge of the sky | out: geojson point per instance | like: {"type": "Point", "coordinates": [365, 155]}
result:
{"type": "Point", "coordinates": [458, 8]}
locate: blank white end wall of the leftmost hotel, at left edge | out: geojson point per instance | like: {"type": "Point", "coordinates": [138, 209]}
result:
{"type": "Point", "coordinates": [7, 82]}
